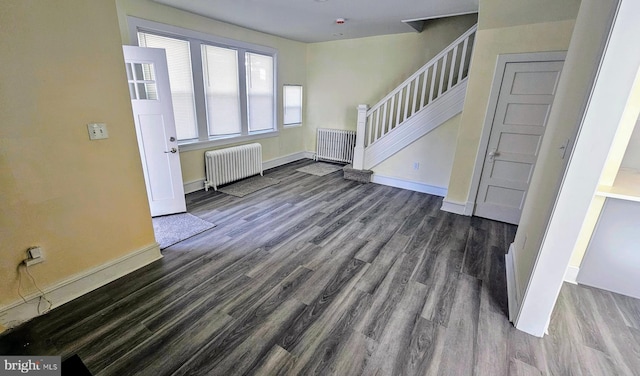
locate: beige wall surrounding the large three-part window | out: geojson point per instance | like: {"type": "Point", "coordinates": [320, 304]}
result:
{"type": "Point", "coordinates": [291, 70]}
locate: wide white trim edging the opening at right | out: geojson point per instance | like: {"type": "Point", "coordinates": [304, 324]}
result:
{"type": "Point", "coordinates": [617, 73]}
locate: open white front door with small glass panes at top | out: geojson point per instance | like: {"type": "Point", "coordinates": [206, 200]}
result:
{"type": "Point", "coordinates": [148, 79]}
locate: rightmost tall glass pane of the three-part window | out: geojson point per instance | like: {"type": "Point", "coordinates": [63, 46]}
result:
{"type": "Point", "coordinates": [260, 96]}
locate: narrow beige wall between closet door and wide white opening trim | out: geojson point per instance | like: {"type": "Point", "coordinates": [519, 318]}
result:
{"type": "Point", "coordinates": [574, 87]}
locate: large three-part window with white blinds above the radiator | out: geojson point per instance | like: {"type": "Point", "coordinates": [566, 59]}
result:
{"type": "Point", "coordinates": [221, 89]}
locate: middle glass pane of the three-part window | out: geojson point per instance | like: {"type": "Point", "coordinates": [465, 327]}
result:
{"type": "Point", "coordinates": [222, 90]}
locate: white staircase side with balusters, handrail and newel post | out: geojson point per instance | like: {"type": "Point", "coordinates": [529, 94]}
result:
{"type": "Point", "coordinates": [427, 99]}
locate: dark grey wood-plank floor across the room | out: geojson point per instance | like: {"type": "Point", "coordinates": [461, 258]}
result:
{"type": "Point", "coordinates": [319, 275]}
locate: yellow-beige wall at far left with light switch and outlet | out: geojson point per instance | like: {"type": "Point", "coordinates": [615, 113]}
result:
{"type": "Point", "coordinates": [83, 201]}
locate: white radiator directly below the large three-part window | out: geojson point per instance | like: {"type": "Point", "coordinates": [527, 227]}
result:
{"type": "Point", "coordinates": [231, 164]}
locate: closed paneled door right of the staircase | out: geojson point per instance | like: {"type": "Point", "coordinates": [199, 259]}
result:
{"type": "Point", "coordinates": [524, 103]}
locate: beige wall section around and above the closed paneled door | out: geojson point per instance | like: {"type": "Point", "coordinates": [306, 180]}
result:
{"type": "Point", "coordinates": [540, 30]}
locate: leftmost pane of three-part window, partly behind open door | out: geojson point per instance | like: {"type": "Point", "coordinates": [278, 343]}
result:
{"type": "Point", "coordinates": [180, 79]}
